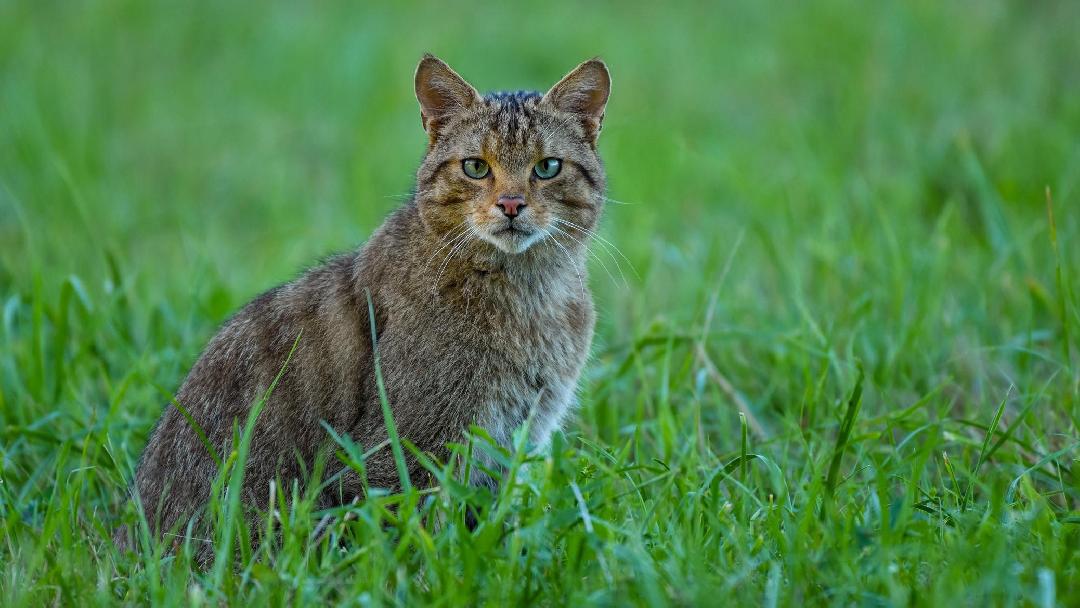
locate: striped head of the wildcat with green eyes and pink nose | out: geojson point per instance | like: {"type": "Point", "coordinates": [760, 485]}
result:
{"type": "Point", "coordinates": [515, 169]}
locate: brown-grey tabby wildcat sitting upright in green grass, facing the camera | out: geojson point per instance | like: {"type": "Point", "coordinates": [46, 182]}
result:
{"type": "Point", "coordinates": [481, 306]}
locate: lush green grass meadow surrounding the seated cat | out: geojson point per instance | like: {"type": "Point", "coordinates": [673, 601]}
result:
{"type": "Point", "coordinates": [845, 373]}
